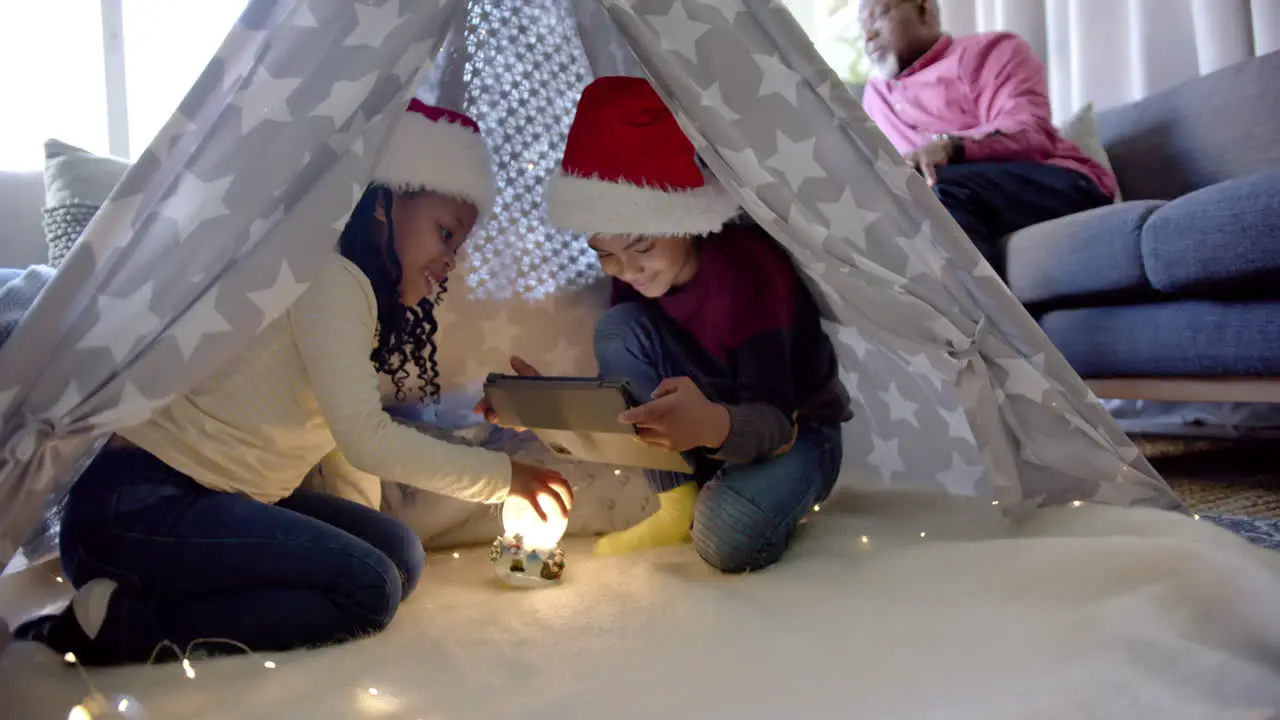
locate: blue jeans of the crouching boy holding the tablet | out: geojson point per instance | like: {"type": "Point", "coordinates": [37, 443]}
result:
{"type": "Point", "coordinates": [747, 514]}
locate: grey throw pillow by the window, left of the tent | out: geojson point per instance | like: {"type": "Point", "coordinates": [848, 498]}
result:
{"type": "Point", "coordinates": [77, 184]}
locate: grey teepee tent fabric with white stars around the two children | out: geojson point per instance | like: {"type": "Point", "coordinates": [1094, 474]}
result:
{"type": "Point", "coordinates": [227, 216]}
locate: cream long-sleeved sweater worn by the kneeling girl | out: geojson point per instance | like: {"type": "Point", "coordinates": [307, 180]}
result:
{"type": "Point", "coordinates": [305, 393]}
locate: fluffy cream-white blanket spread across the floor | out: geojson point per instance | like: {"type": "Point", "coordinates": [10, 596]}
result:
{"type": "Point", "coordinates": [1089, 613]}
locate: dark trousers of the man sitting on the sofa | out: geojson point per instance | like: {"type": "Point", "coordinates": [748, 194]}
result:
{"type": "Point", "coordinates": [991, 200]}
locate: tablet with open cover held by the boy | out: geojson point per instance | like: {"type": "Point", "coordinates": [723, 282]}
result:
{"type": "Point", "coordinates": [578, 418]}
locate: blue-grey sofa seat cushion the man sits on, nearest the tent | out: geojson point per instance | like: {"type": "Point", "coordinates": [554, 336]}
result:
{"type": "Point", "coordinates": [1091, 257]}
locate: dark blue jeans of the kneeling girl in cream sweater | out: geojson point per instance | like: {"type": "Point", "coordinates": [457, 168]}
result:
{"type": "Point", "coordinates": [193, 563]}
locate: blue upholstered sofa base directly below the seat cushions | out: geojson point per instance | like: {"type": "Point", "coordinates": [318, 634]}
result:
{"type": "Point", "coordinates": [1203, 339]}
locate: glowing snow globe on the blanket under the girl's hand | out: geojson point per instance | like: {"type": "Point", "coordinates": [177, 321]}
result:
{"type": "Point", "coordinates": [528, 555]}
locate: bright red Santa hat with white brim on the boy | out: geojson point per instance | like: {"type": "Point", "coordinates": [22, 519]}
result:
{"type": "Point", "coordinates": [629, 170]}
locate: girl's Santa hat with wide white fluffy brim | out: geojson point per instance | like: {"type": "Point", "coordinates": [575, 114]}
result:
{"type": "Point", "coordinates": [441, 151]}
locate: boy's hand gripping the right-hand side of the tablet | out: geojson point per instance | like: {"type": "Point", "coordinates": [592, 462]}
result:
{"type": "Point", "coordinates": [680, 418]}
